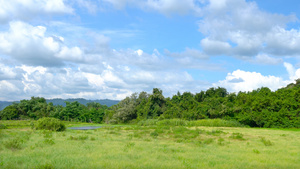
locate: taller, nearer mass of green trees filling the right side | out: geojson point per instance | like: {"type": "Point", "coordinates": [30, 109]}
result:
{"type": "Point", "coordinates": [259, 108]}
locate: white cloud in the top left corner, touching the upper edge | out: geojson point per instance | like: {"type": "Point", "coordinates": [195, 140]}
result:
{"type": "Point", "coordinates": [25, 10]}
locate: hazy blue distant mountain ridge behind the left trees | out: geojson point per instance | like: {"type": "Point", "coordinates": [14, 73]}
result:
{"type": "Point", "coordinates": [106, 102]}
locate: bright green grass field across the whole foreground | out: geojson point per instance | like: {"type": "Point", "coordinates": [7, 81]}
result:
{"type": "Point", "coordinates": [131, 146]}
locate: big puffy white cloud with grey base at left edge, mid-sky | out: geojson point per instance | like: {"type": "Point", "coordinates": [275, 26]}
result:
{"type": "Point", "coordinates": [29, 45]}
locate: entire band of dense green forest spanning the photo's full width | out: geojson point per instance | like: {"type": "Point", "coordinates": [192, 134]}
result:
{"type": "Point", "coordinates": [258, 108]}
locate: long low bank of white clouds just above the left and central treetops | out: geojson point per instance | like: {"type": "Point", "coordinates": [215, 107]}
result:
{"type": "Point", "coordinates": [111, 83]}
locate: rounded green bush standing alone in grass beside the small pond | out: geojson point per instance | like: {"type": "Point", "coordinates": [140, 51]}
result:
{"type": "Point", "coordinates": [49, 123]}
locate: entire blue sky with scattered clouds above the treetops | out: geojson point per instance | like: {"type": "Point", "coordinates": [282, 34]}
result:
{"type": "Point", "coordinates": [109, 49]}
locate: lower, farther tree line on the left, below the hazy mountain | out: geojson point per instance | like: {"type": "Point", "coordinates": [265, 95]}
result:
{"type": "Point", "coordinates": [37, 108]}
